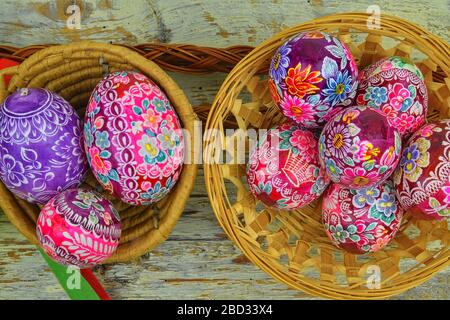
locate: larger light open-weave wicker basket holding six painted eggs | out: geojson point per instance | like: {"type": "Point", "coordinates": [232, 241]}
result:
{"type": "Point", "coordinates": [293, 247]}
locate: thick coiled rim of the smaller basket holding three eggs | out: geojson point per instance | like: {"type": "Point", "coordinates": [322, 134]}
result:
{"type": "Point", "coordinates": [149, 239]}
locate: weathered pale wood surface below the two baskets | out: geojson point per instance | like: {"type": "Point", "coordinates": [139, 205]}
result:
{"type": "Point", "coordinates": [197, 261]}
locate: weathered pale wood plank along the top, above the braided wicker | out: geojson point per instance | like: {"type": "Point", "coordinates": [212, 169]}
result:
{"type": "Point", "coordinates": [212, 23]}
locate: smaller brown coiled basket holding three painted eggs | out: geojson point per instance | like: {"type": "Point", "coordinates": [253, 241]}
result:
{"type": "Point", "coordinates": [73, 71]}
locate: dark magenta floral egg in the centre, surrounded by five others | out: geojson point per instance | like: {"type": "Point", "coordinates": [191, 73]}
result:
{"type": "Point", "coordinates": [359, 148]}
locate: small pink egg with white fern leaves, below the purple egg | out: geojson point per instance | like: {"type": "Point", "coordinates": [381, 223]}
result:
{"type": "Point", "coordinates": [79, 227]}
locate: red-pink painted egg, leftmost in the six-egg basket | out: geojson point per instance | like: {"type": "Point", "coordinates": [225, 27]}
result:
{"type": "Point", "coordinates": [284, 171]}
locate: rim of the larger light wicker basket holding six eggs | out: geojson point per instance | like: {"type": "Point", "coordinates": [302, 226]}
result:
{"type": "Point", "coordinates": [348, 21]}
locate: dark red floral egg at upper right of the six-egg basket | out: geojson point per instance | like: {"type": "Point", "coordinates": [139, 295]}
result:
{"type": "Point", "coordinates": [397, 88]}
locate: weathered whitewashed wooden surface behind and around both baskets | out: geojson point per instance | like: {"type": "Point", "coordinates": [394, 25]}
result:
{"type": "Point", "coordinates": [197, 261]}
